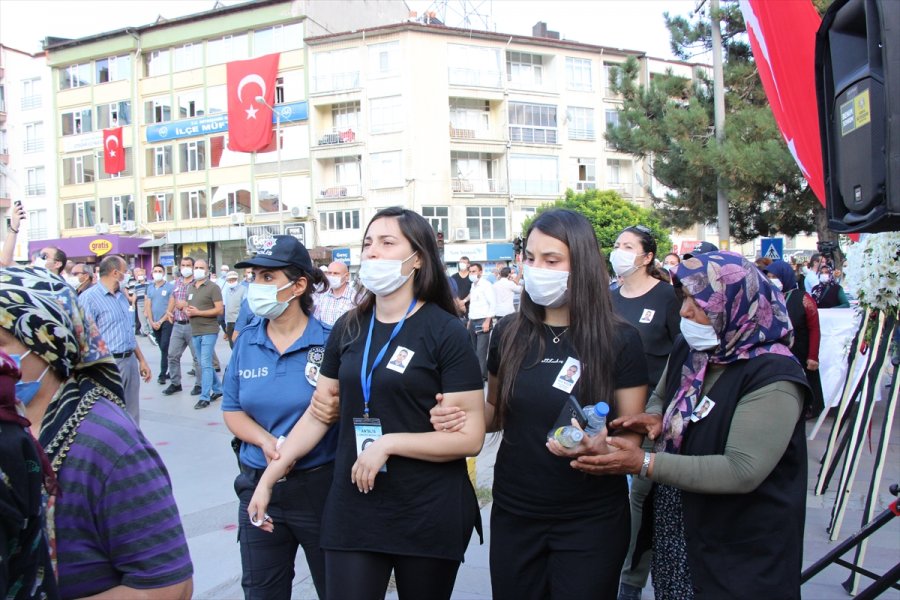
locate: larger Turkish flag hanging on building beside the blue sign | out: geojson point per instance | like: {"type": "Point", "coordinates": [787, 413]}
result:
{"type": "Point", "coordinates": [249, 121]}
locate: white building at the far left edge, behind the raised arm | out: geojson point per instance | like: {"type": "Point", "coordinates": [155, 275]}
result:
{"type": "Point", "coordinates": [27, 157]}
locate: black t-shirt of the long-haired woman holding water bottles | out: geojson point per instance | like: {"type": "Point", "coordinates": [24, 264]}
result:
{"type": "Point", "coordinates": [528, 479]}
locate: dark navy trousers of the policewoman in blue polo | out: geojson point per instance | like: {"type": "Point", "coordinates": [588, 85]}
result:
{"type": "Point", "coordinates": [267, 559]}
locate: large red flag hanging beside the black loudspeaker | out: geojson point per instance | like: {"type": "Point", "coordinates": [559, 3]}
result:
{"type": "Point", "coordinates": [783, 38]}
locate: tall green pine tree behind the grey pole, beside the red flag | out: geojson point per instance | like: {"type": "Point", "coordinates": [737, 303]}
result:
{"type": "Point", "coordinates": [670, 121]}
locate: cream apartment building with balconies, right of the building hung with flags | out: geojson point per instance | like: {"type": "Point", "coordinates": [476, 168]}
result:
{"type": "Point", "coordinates": [472, 129]}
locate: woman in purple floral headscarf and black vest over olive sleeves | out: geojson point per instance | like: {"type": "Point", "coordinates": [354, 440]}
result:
{"type": "Point", "coordinates": [730, 460]}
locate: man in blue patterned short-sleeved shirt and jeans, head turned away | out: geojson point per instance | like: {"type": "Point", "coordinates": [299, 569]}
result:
{"type": "Point", "coordinates": [114, 316]}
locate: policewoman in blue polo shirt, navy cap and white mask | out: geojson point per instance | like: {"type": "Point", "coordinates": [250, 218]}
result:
{"type": "Point", "coordinates": [267, 389]}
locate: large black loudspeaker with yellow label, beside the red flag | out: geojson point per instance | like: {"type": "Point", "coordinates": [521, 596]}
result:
{"type": "Point", "coordinates": [858, 93]}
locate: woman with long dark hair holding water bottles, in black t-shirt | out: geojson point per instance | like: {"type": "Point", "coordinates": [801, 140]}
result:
{"type": "Point", "coordinates": [554, 531]}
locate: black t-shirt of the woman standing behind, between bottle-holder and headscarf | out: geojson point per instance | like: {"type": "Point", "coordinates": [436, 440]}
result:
{"type": "Point", "coordinates": [655, 315]}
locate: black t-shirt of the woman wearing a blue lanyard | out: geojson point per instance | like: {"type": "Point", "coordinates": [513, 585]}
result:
{"type": "Point", "coordinates": [417, 508]}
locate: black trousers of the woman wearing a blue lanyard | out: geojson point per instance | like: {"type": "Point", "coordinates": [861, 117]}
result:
{"type": "Point", "coordinates": [365, 575]}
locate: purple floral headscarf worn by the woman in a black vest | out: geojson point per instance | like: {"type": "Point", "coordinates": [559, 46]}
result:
{"type": "Point", "coordinates": [749, 317]}
